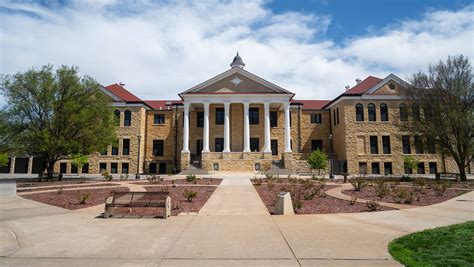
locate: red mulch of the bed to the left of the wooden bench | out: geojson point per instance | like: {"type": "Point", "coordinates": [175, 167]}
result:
{"type": "Point", "coordinates": [70, 199]}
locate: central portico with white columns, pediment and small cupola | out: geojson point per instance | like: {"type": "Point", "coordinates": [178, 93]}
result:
{"type": "Point", "coordinates": [234, 111]}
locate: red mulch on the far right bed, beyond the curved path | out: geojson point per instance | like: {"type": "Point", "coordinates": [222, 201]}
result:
{"type": "Point", "coordinates": [428, 197]}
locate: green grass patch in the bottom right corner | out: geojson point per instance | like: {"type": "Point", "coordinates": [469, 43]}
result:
{"type": "Point", "coordinates": [444, 246]}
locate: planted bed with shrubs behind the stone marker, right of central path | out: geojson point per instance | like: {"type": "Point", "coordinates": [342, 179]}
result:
{"type": "Point", "coordinates": [307, 198]}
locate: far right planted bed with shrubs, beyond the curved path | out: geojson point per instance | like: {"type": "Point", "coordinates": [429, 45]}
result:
{"type": "Point", "coordinates": [407, 193]}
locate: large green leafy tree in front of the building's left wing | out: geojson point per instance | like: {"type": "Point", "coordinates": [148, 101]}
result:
{"type": "Point", "coordinates": [54, 114]}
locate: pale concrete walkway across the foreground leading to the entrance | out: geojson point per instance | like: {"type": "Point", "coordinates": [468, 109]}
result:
{"type": "Point", "coordinates": [233, 228]}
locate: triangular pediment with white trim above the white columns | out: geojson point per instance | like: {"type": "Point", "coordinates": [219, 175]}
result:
{"type": "Point", "coordinates": [236, 81]}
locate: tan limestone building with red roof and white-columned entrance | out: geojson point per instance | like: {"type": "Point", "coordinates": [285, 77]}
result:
{"type": "Point", "coordinates": [240, 122]}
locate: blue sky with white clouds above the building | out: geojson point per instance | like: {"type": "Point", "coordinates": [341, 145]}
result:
{"type": "Point", "coordinates": [158, 49]}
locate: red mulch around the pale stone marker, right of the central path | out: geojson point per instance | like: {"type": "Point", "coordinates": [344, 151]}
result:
{"type": "Point", "coordinates": [322, 204]}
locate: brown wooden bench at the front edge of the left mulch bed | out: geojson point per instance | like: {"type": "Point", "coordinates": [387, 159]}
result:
{"type": "Point", "coordinates": [138, 200]}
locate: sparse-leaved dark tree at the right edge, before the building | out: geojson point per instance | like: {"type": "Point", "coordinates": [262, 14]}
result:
{"type": "Point", "coordinates": [445, 94]}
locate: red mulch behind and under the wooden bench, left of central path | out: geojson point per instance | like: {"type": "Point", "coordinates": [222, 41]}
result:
{"type": "Point", "coordinates": [179, 202]}
